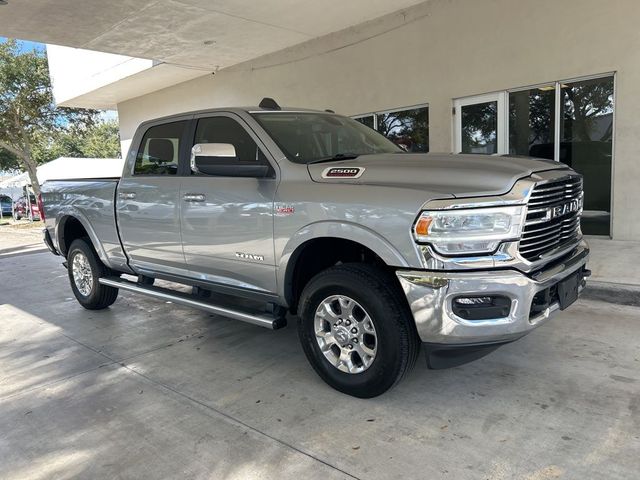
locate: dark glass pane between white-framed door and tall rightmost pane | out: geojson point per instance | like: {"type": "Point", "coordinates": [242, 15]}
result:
{"type": "Point", "coordinates": [531, 122]}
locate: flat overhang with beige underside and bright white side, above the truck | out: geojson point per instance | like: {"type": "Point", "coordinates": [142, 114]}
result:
{"type": "Point", "coordinates": [180, 39]}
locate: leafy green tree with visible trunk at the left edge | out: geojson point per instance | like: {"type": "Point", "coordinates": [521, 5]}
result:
{"type": "Point", "coordinates": [29, 119]}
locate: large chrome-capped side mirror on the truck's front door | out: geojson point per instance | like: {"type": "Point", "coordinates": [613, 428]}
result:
{"type": "Point", "coordinates": [219, 159]}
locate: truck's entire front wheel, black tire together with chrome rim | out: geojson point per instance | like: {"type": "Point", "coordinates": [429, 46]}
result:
{"type": "Point", "coordinates": [376, 297]}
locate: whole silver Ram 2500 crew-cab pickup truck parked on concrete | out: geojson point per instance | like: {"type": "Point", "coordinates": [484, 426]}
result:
{"type": "Point", "coordinates": [265, 213]}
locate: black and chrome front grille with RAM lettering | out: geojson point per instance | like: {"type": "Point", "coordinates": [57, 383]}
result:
{"type": "Point", "coordinates": [553, 217]}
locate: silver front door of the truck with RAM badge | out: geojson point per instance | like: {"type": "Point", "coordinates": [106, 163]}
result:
{"type": "Point", "coordinates": [227, 215]}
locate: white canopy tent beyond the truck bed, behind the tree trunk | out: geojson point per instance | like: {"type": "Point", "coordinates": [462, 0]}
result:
{"type": "Point", "coordinates": [64, 168]}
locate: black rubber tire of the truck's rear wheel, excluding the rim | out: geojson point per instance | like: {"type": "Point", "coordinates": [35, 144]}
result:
{"type": "Point", "coordinates": [100, 296]}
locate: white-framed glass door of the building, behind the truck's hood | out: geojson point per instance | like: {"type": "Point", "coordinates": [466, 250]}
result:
{"type": "Point", "coordinates": [480, 124]}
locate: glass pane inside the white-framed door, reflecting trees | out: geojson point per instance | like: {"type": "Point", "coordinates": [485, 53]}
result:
{"type": "Point", "coordinates": [480, 128]}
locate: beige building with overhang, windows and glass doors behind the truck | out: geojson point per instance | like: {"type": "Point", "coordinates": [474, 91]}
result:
{"type": "Point", "coordinates": [556, 79]}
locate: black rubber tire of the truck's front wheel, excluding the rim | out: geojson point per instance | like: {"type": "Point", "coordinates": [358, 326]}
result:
{"type": "Point", "coordinates": [380, 296]}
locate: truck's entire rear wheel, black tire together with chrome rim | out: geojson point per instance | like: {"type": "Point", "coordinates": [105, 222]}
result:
{"type": "Point", "coordinates": [92, 295]}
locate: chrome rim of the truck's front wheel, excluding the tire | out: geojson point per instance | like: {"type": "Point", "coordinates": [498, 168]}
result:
{"type": "Point", "coordinates": [345, 334]}
